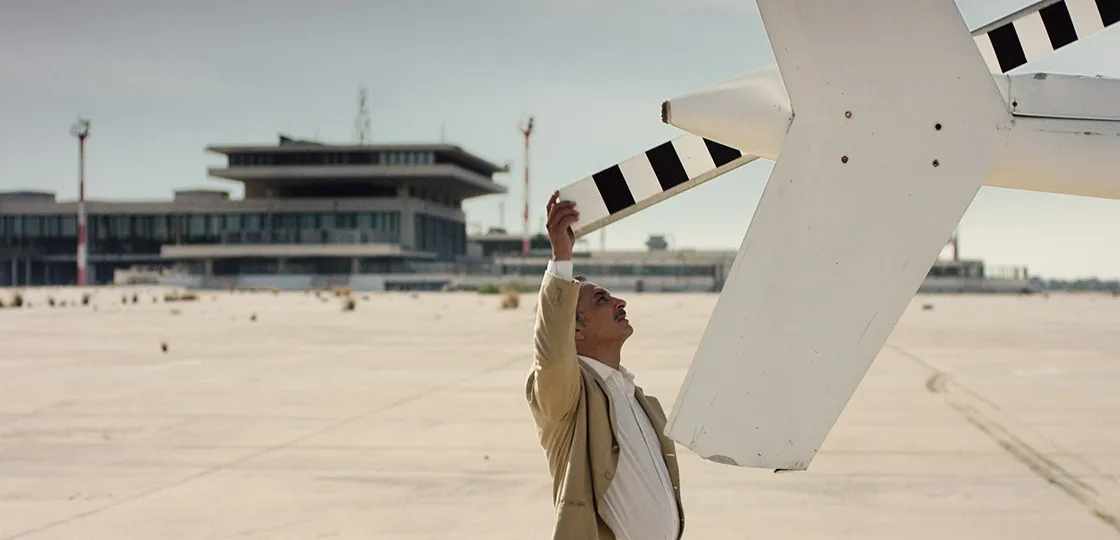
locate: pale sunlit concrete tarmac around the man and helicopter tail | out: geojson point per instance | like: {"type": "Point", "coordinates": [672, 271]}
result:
{"type": "Point", "coordinates": [285, 417]}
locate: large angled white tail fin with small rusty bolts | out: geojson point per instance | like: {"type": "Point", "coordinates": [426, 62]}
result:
{"type": "Point", "coordinates": [854, 216]}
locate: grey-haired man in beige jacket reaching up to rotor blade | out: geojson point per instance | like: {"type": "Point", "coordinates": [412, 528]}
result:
{"type": "Point", "coordinates": [614, 474]}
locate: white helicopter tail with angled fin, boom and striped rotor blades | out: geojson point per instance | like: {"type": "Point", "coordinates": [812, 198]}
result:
{"type": "Point", "coordinates": [884, 119]}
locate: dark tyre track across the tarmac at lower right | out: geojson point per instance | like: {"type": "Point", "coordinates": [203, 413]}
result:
{"type": "Point", "coordinates": [973, 407]}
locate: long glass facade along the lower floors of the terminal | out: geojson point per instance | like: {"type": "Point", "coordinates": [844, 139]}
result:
{"type": "Point", "coordinates": [42, 249]}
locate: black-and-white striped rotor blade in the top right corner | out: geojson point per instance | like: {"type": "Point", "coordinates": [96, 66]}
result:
{"type": "Point", "coordinates": [1041, 30]}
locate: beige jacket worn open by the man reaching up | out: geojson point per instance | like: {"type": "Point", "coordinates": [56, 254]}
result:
{"type": "Point", "coordinates": [575, 420]}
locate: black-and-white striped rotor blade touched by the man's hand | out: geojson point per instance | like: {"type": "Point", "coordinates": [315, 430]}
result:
{"type": "Point", "coordinates": [649, 179]}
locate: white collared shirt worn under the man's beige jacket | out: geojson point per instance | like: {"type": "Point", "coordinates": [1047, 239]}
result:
{"type": "Point", "coordinates": [640, 504]}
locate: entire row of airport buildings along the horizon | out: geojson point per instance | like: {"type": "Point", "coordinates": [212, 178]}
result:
{"type": "Point", "coordinates": [370, 218]}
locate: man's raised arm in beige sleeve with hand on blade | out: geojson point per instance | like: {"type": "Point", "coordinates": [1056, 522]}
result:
{"type": "Point", "coordinates": [556, 381]}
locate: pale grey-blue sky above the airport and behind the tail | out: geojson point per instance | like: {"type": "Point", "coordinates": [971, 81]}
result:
{"type": "Point", "coordinates": [163, 80]}
